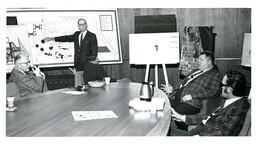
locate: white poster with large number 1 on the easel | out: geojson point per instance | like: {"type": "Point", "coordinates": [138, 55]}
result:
{"type": "Point", "coordinates": [154, 48]}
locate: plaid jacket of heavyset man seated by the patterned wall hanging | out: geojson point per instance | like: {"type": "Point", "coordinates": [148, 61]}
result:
{"type": "Point", "coordinates": [205, 86]}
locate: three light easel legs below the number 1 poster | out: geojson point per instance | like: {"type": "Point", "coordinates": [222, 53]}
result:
{"type": "Point", "coordinates": [156, 74]}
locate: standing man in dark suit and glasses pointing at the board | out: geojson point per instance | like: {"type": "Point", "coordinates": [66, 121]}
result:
{"type": "Point", "coordinates": [86, 49]}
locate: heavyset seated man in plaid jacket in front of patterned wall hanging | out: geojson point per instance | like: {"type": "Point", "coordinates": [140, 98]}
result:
{"type": "Point", "coordinates": [201, 84]}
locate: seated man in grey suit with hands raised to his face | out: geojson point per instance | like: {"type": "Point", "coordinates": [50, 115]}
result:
{"type": "Point", "coordinates": [28, 82]}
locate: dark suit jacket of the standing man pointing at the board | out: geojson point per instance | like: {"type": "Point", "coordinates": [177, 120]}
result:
{"type": "Point", "coordinates": [88, 50]}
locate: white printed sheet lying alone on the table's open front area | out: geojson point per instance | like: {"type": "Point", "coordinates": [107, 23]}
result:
{"type": "Point", "coordinates": [91, 115]}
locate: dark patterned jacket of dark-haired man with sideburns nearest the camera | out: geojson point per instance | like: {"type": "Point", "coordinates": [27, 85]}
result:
{"type": "Point", "coordinates": [225, 122]}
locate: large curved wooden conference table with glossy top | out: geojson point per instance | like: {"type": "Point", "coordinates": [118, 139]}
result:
{"type": "Point", "coordinates": [49, 114]}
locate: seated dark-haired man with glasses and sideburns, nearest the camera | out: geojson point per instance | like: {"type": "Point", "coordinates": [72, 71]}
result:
{"type": "Point", "coordinates": [228, 118]}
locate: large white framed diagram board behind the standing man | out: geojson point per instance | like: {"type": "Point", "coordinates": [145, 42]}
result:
{"type": "Point", "coordinates": [53, 23]}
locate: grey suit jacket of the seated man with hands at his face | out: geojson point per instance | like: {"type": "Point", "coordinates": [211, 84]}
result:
{"type": "Point", "coordinates": [27, 83]}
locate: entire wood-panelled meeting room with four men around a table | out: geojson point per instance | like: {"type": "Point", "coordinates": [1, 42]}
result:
{"type": "Point", "coordinates": [128, 72]}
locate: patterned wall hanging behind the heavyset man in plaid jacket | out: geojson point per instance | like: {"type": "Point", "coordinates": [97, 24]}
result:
{"type": "Point", "coordinates": [194, 40]}
